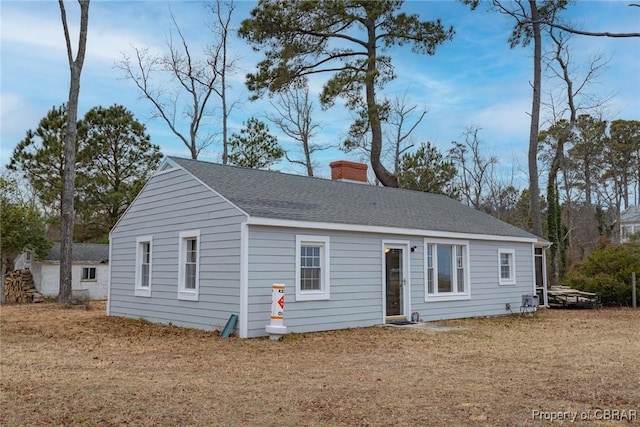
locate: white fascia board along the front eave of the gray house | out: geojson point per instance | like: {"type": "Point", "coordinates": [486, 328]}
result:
{"type": "Point", "coordinates": [383, 230]}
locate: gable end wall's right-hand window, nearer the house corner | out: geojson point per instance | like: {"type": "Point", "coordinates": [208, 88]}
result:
{"type": "Point", "coordinates": [189, 265]}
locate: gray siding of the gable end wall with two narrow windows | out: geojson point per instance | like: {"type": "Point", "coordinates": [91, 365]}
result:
{"type": "Point", "coordinates": [171, 203]}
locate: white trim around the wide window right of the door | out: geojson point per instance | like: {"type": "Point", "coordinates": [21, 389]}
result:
{"type": "Point", "coordinates": [448, 296]}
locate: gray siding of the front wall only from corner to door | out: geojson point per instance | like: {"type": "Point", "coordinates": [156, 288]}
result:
{"type": "Point", "coordinates": [356, 277]}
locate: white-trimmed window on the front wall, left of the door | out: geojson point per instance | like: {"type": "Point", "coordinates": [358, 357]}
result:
{"type": "Point", "coordinates": [312, 268]}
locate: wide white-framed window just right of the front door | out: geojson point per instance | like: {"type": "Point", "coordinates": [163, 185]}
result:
{"type": "Point", "coordinates": [446, 269]}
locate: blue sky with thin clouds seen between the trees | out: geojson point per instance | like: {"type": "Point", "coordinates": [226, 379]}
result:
{"type": "Point", "coordinates": [474, 80]}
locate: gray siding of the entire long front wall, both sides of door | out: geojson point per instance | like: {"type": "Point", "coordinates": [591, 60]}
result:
{"type": "Point", "coordinates": [357, 282]}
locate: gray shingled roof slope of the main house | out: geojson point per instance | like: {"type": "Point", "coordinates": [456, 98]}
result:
{"type": "Point", "coordinates": [275, 195]}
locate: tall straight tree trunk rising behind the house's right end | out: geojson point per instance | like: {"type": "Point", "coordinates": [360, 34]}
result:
{"type": "Point", "coordinates": [534, 188]}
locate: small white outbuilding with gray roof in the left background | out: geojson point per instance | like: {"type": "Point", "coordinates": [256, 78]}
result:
{"type": "Point", "coordinates": [90, 269]}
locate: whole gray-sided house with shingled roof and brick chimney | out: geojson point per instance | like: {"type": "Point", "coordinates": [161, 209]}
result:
{"type": "Point", "coordinates": [203, 241]}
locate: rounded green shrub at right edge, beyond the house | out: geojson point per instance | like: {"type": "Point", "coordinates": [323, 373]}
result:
{"type": "Point", "coordinates": [607, 272]}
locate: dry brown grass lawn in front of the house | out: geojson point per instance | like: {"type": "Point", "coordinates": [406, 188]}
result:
{"type": "Point", "coordinates": [64, 366]}
